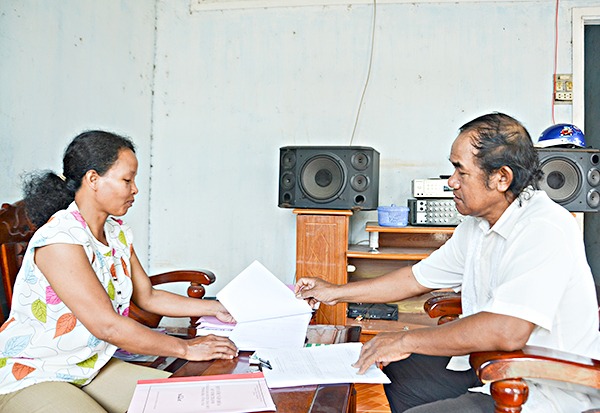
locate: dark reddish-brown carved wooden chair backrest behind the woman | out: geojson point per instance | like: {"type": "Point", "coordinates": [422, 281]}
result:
{"type": "Point", "coordinates": [16, 229]}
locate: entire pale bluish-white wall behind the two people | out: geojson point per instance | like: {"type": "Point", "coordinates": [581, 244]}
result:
{"type": "Point", "coordinates": [232, 87]}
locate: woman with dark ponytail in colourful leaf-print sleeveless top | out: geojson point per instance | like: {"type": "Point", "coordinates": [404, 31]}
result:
{"type": "Point", "coordinates": [72, 294]}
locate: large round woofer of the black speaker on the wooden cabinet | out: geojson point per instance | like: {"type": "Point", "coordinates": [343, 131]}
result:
{"type": "Point", "coordinates": [322, 178]}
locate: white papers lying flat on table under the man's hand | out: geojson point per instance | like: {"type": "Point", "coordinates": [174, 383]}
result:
{"type": "Point", "coordinates": [317, 365]}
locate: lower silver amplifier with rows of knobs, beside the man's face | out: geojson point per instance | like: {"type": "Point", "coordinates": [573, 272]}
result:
{"type": "Point", "coordinates": [433, 212]}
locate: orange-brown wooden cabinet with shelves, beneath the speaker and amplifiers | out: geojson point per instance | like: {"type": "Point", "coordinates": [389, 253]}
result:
{"type": "Point", "coordinates": [323, 251]}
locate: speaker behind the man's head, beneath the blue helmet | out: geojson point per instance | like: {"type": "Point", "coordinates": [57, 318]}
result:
{"type": "Point", "coordinates": [571, 177]}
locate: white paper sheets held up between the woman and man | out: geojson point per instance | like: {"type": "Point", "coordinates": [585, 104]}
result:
{"type": "Point", "coordinates": [267, 312]}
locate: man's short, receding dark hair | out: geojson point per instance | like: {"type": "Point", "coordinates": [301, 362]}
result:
{"type": "Point", "coordinates": [500, 141]}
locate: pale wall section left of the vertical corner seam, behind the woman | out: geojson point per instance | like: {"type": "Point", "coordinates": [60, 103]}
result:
{"type": "Point", "coordinates": [70, 66]}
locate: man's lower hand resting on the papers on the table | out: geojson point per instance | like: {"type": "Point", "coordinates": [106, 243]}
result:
{"type": "Point", "coordinates": [382, 349]}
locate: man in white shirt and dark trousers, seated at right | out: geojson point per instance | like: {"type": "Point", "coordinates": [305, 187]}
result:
{"type": "Point", "coordinates": [520, 262]}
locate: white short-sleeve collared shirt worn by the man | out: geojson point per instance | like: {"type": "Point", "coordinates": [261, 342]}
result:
{"type": "Point", "coordinates": [531, 264]}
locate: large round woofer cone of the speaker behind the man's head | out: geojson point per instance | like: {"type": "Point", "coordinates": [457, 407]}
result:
{"type": "Point", "coordinates": [561, 179]}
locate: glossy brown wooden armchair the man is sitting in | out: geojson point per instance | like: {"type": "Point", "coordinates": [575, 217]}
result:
{"type": "Point", "coordinates": [506, 370]}
